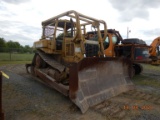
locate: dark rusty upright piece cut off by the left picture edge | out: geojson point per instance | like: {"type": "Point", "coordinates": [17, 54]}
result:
{"type": "Point", "coordinates": [1, 112]}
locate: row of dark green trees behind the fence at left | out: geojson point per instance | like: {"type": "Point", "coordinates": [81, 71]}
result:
{"type": "Point", "coordinates": [12, 46]}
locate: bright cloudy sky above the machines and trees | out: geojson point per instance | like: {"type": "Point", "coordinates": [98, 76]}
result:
{"type": "Point", "coordinates": [20, 20]}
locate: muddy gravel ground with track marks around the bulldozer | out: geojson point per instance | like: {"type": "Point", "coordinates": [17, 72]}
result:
{"type": "Point", "coordinates": [24, 98]}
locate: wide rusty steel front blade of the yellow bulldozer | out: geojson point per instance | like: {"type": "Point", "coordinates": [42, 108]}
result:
{"type": "Point", "coordinates": [94, 80]}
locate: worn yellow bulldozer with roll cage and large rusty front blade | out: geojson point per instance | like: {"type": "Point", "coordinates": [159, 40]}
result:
{"type": "Point", "coordinates": [75, 66]}
